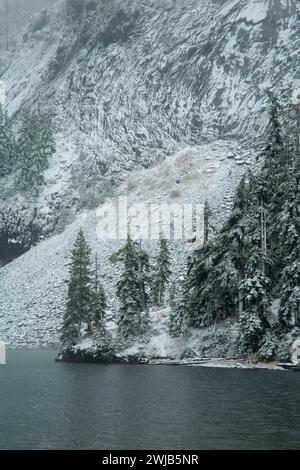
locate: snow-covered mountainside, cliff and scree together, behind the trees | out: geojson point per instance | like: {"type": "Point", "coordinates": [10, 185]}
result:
{"type": "Point", "coordinates": [148, 97]}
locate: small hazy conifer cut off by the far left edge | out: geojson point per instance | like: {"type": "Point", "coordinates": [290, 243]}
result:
{"type": "Point", "coordinates": [7, 144]}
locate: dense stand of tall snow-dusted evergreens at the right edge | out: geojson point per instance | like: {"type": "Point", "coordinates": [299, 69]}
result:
{"type": "Point", "coordinates": [257, 251]}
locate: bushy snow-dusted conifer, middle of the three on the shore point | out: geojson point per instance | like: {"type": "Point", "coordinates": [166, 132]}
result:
{"type": "Point", "coordinates": [131, 289]}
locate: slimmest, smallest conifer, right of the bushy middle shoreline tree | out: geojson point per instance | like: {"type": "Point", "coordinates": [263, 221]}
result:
{"type": "Point", "coordinates": [162, 274]}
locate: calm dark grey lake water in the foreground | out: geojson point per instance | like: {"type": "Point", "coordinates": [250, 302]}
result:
{"type": "Point", "coordinates": [48, 405]}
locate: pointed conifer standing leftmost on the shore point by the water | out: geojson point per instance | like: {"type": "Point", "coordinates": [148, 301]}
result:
{"type": "Point", "coordinates": [77, 317]}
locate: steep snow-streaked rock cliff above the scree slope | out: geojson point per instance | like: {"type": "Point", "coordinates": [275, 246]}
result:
{"type": "Point", "coordinates": [132, 80]}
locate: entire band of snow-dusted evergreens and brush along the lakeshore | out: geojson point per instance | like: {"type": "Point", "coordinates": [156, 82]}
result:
{"type": "Point", "coordinates": [248, 271]}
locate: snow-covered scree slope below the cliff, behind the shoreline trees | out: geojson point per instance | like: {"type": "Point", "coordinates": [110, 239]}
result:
{"type": "Point", "coordinates": [33, 286]}
